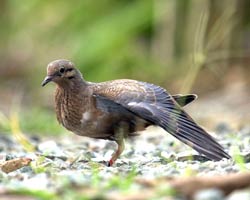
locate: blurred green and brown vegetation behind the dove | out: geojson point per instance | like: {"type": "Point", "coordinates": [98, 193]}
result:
{"type": "Point", "coordinates": [200, 46]}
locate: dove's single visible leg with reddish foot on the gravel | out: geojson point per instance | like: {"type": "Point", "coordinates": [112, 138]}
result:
{"type": "Point", "coordinates": [119, 139]}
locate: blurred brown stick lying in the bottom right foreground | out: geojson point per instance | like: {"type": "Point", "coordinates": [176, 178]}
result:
{"type": "Point", "coordinates": [189, 186]}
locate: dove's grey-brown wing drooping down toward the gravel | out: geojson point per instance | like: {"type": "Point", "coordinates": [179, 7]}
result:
{"type": "Point", "coordinates": [155, 105]}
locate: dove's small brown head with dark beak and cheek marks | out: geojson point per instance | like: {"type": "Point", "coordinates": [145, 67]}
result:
{"type": "Point", "coordinates": [61, 72]}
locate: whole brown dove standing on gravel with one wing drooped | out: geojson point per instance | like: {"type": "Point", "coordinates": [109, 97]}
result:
{"type": "Point", "coordinates": [117, 109]}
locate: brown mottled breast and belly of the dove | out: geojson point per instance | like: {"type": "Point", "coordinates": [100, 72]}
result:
{"type": "Point", "coordinates": [79, 114]}
